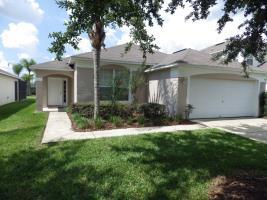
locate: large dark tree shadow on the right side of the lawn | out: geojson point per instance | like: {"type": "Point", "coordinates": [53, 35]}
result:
{"type": "Point", "coordinates": [179, 165]}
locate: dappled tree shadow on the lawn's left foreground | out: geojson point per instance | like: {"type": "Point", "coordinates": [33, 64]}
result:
{"type": "Point", "coordinates": [49, 173]}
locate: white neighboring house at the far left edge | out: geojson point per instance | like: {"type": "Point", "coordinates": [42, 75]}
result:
{"type": "Point", "coordinates": [11, 88]}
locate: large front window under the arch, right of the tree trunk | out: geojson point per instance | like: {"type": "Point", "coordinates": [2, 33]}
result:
{"type": "Point", "coordinates": [114, 84]}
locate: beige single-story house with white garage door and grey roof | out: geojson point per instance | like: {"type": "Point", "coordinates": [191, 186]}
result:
{"type": "Point", "coordinates": [185, 77]}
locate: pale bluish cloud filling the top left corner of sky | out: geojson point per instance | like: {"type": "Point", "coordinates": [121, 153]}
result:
{"type": "Point", "coordinates": [22, 10]}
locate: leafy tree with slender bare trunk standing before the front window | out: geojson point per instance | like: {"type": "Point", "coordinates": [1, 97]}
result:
{"type": "Point", "coordinates": [92, 17]}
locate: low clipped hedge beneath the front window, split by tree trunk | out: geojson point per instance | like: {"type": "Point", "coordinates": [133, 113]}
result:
{"type": "Point", "coordinates": [105, 110]}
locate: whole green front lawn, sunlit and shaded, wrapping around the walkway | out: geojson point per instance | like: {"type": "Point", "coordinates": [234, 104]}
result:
{"type": "Point", "coordinates": [160, 166]}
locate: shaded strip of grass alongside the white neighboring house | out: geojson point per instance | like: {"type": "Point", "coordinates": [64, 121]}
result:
{"type": "Point", "coordinates": [12, 108]}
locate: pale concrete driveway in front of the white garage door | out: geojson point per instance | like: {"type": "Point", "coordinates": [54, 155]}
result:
{"type": "Point", "coordinates": [253, 128]}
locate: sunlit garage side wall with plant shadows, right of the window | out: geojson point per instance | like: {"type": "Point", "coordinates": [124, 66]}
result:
{"type": "Point", "coordinates": [163, 89]}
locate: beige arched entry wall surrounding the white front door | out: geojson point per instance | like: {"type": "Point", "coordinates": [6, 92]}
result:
{"type": "Point", "coordinates": [41, 86]}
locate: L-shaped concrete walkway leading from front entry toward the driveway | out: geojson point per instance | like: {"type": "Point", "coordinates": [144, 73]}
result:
{"type": "Point", "coordinates": [58, 128]}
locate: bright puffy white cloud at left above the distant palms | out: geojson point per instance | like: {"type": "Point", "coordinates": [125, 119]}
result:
{"type": "Point", "coordinates": [21, 35]}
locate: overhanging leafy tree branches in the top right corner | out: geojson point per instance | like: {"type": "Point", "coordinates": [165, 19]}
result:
{"type": "Point", "coordinates": [252, 41]}
